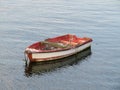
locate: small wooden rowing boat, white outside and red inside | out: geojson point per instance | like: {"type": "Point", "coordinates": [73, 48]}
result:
{"type": "Point", "coordinates": [56, 48]}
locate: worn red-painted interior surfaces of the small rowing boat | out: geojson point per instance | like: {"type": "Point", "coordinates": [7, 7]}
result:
{"type": "Point", "coordinates": [65, 39]}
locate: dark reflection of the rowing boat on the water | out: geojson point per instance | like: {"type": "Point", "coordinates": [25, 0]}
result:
{"type": "Point", "coordinates": [40, 68]}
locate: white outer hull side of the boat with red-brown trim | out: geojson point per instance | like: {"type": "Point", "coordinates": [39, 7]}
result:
{"type": "Point", "coordinates": [48, 56]}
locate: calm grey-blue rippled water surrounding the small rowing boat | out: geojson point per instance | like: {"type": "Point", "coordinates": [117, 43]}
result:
{"type": "Point", "coordinates": [23, 22]}
